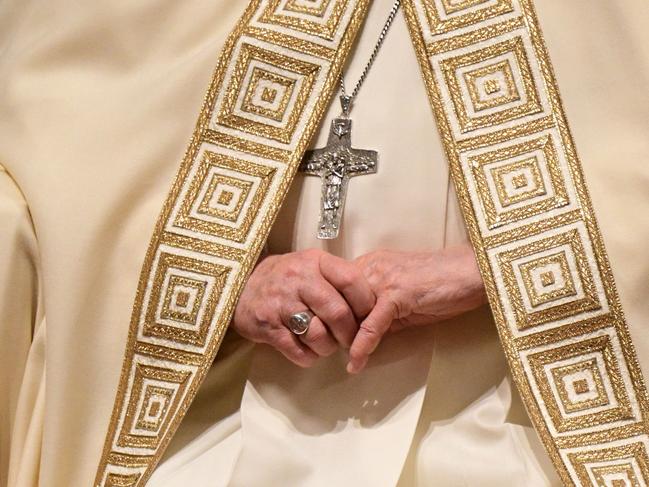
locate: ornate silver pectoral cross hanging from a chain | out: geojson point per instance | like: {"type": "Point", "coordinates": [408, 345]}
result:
{"type": "Point", "coordinates": [335, 164]}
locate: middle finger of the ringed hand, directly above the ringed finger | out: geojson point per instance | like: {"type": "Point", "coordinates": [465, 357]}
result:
{"type": "Point", "coordinates": [332, 309]}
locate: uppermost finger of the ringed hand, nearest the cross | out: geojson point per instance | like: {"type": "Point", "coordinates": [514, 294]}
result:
{"type": "Point", "coordinates": [348, 279]}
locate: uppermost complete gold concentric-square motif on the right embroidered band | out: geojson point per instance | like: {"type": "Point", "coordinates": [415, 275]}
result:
{"type": "Point", "coordinates": [467, 73]}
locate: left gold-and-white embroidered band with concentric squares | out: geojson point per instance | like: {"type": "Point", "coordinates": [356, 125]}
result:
{"type": "Point", "coordinates": [269, 91]}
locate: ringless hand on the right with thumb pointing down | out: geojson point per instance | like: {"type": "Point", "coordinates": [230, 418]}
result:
{"type": "Point", "coordinates": [414, 288]}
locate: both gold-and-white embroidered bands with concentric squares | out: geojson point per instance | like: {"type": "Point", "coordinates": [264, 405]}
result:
{"type": "Point", "coordinates": [521, 190]}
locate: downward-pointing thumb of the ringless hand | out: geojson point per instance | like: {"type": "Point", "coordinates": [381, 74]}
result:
{"type": "Point", "coordinates": [369, 335]}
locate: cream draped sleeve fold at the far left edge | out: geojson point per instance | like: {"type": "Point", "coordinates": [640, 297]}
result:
{"type": "Point", "coordinates": [21, 338]}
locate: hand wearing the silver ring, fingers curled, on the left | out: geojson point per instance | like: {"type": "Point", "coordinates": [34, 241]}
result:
{"type": "Point", "coordinates": [280, 285]}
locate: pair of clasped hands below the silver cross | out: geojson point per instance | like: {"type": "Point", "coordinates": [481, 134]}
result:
{"type": "Point", "coordinates": [355, 303]}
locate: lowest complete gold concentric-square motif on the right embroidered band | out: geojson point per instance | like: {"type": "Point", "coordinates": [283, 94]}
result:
{"type": "Point", "coordinates": [602, 399]}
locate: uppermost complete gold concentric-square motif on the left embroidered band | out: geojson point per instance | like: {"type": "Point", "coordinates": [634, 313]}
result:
{"type": "Point", "coordinates": [259, 73]}
